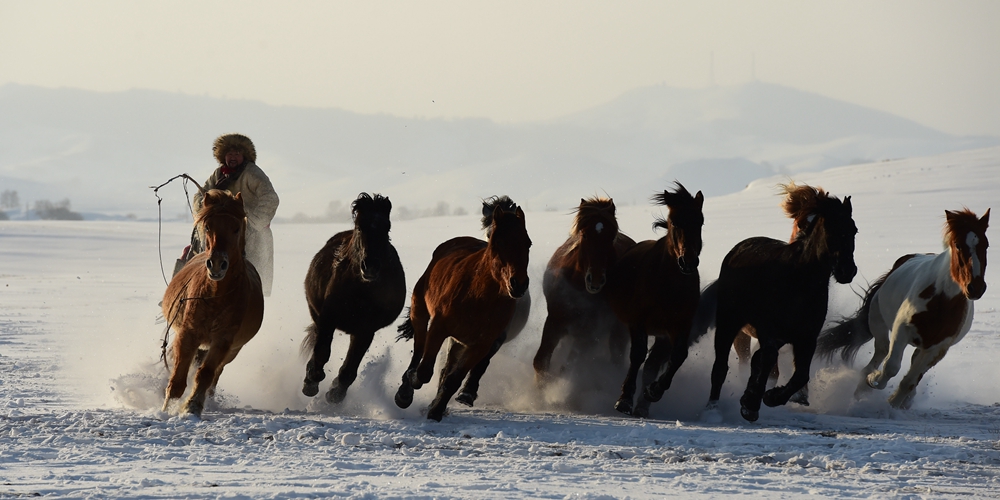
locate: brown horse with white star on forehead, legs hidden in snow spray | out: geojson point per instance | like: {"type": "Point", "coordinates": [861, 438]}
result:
{"type": "Point", "coordinates": [573, 281]}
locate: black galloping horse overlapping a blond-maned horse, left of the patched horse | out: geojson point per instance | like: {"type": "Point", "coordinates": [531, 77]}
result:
{"type": "Point", "coordinates": [781, 290]}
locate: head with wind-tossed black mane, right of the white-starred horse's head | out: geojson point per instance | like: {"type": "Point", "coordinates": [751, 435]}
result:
{"type": "Point", "coordinates": [683, 224]}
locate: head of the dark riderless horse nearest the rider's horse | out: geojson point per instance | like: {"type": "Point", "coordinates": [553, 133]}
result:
{"type": "Point", "coordinates": [370, 241]}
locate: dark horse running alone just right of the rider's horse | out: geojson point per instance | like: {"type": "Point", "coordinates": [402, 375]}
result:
{"type": "Point", "coordinates": [355, 284]}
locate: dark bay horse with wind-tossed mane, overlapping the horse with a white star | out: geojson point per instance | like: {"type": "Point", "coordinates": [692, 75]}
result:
{"type": "Point", "coordinates": [654, 290]}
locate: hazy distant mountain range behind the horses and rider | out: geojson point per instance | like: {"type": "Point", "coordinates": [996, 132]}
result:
{"type": "Point", "coordinates": [103, 150]}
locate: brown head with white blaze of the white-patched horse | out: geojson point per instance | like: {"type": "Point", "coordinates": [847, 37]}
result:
{"type": "Point", "coordinates": [965, 235]}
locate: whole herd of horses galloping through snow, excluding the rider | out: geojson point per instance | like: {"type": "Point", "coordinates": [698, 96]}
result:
{"type": "Point", "coordinates": [474, 291]}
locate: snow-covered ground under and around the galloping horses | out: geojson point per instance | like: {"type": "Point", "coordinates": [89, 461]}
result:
{"type": "Point", "coordinates": [81, 384]}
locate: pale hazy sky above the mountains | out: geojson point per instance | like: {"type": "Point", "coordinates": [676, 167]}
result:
{"type": "Point", "coordinates": [934, 62]}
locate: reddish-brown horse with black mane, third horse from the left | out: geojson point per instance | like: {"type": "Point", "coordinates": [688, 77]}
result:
{"type": "Point", "coordinates": [469, 292]}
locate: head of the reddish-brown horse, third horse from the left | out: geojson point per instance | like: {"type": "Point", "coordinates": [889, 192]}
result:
{"type": "Point", "coordinates": [508, 244]}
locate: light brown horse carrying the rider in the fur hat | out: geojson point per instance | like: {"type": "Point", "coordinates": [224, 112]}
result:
{"type": "Point", "coordinates": [214, 303]}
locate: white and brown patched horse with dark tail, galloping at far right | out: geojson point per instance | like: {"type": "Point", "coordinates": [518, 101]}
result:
{"type": "Point", "coordinates": [925, 301]}
